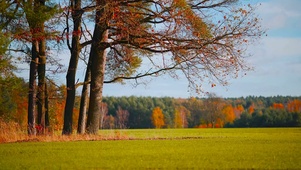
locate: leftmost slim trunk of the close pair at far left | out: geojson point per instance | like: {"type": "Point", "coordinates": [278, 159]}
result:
{"type": "Point", "coordinates": [32, 89]}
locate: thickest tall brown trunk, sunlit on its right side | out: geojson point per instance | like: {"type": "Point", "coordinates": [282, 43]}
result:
{"type": "Point", "coordinates": [98, 61]}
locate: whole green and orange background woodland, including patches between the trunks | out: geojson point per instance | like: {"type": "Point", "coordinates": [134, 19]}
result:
{"type": "Point", "coordinates": [153, 112]}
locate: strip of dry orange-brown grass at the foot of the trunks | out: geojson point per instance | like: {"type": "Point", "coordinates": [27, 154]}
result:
{"type": "Point", "coordinates": [13, 132]}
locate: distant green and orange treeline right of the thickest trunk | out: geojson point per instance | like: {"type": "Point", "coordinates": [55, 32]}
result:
{"type": "Point", "coordinates": [251, 111]}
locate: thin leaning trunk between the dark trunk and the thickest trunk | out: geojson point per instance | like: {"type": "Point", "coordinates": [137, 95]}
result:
{"type": "Point", "coordinates": [84, 101]}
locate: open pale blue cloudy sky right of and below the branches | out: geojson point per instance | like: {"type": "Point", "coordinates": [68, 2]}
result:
{"type": "Point", "coordinates": [276, 60]}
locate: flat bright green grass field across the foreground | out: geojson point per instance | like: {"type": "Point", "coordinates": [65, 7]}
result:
{"type": "Point", "coordinates": [275, 148]}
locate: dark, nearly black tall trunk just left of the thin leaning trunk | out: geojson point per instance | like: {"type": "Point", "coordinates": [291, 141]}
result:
{"type": "Point", "coordinates": [70, 78]}
